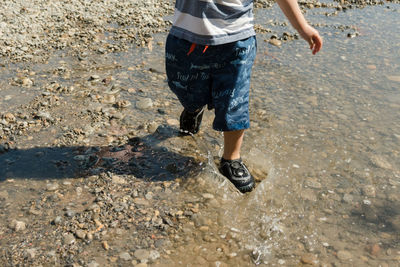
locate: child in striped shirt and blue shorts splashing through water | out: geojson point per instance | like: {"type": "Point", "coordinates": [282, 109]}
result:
{"type": "Point", "coordinates": [210, 51]}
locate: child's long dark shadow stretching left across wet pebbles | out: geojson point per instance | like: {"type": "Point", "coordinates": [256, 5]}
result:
{"type": "Point", "coordinates": [142, 157]}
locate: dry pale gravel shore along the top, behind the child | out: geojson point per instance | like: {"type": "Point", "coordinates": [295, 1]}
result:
{"type": "Point", "coordinates": [29, 30]}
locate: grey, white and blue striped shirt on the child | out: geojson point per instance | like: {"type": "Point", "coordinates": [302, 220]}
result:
{"type": "Point", "coordinates": [213, 22]}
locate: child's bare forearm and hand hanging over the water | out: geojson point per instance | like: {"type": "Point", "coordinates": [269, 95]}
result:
{"type": "Point", "coordinates": [292, 11]}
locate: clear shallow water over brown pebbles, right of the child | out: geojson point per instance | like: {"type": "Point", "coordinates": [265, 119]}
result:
{"type": "Point", "coordinates": [326, 133]}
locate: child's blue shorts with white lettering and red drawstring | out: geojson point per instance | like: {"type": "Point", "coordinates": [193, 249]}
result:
{"type": "Point", "coordinates": [217, 76]}
